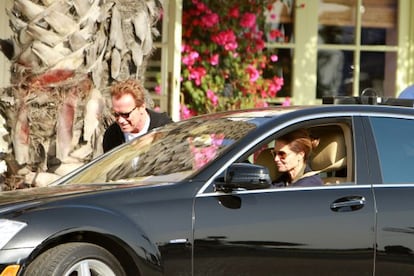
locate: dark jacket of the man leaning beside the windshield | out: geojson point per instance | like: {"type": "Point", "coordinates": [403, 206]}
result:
{"type": "Point", "coordinates": [114, 136]}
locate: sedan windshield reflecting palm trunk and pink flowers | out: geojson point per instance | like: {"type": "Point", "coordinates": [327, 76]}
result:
{"type": "Point", "coordinates": [168, 154]}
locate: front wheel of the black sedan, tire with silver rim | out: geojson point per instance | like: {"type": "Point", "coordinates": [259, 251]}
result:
{"type": "Point", "coordinates": [75, 259]}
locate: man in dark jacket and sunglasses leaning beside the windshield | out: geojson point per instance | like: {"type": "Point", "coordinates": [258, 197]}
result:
{"type": "Point", "coordinates": [132, 117]}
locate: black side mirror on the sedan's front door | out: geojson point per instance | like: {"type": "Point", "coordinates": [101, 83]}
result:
{"type": "Point", "coordinates": [243, 176]}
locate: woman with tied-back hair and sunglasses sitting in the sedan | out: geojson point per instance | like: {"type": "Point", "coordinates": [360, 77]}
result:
{"type": "Point", "coordinates": [291, 153]}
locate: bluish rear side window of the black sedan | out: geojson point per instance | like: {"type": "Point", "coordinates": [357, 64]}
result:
{"type": "Point", "coordinates": [395, 146]}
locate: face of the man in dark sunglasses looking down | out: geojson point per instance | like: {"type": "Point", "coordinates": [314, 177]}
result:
{"type": "Point", "coordinates": [128, 116]}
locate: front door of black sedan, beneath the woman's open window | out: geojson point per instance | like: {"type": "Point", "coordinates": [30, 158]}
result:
{"type": "Point", "coordinates": [325, 230]}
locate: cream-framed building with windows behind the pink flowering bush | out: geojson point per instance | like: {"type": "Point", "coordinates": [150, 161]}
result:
{"type": "Point", "coordinates": [328, 47]}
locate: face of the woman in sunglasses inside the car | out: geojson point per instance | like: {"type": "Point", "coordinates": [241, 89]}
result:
{"type": "Point", "coordinates": [286, 159]}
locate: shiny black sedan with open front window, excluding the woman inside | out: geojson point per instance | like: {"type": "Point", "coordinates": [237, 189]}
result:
{"type": "Point", "coordinates": [195, 198]}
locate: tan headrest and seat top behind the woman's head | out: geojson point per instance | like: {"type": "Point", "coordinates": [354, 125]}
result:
{"type": "Point", "coordinates": [330, 154]}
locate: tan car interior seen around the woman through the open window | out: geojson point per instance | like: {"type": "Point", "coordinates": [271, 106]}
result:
{"type": "Point", "coordinates": [332, 158]}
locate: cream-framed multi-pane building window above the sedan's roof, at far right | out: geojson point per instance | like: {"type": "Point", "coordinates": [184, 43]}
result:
{"type": "Point", "coordinates": [356, 47]}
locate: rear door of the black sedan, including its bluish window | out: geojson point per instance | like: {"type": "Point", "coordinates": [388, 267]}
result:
{"type": "Point", "coordinates": [393, 139]}
